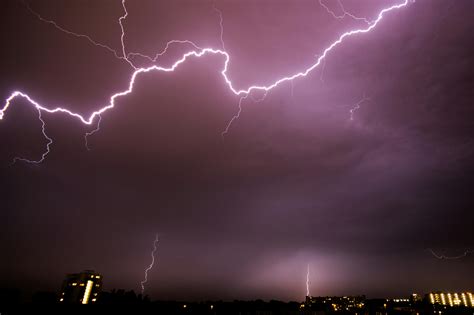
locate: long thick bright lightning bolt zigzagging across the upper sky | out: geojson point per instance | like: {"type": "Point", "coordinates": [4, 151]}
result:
{"type": "Point", "coordinates": [199, 52]}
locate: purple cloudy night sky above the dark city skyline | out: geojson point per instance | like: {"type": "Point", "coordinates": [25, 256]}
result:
{"type": "Point", "coordinates": [294, 182]}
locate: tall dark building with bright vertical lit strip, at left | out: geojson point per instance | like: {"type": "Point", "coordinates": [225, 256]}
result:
{"type": "Point", "coordinates": [81, 288]}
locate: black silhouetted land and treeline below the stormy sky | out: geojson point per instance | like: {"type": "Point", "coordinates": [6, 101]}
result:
{"type": "Point", "coordinates": [127, 302]}
